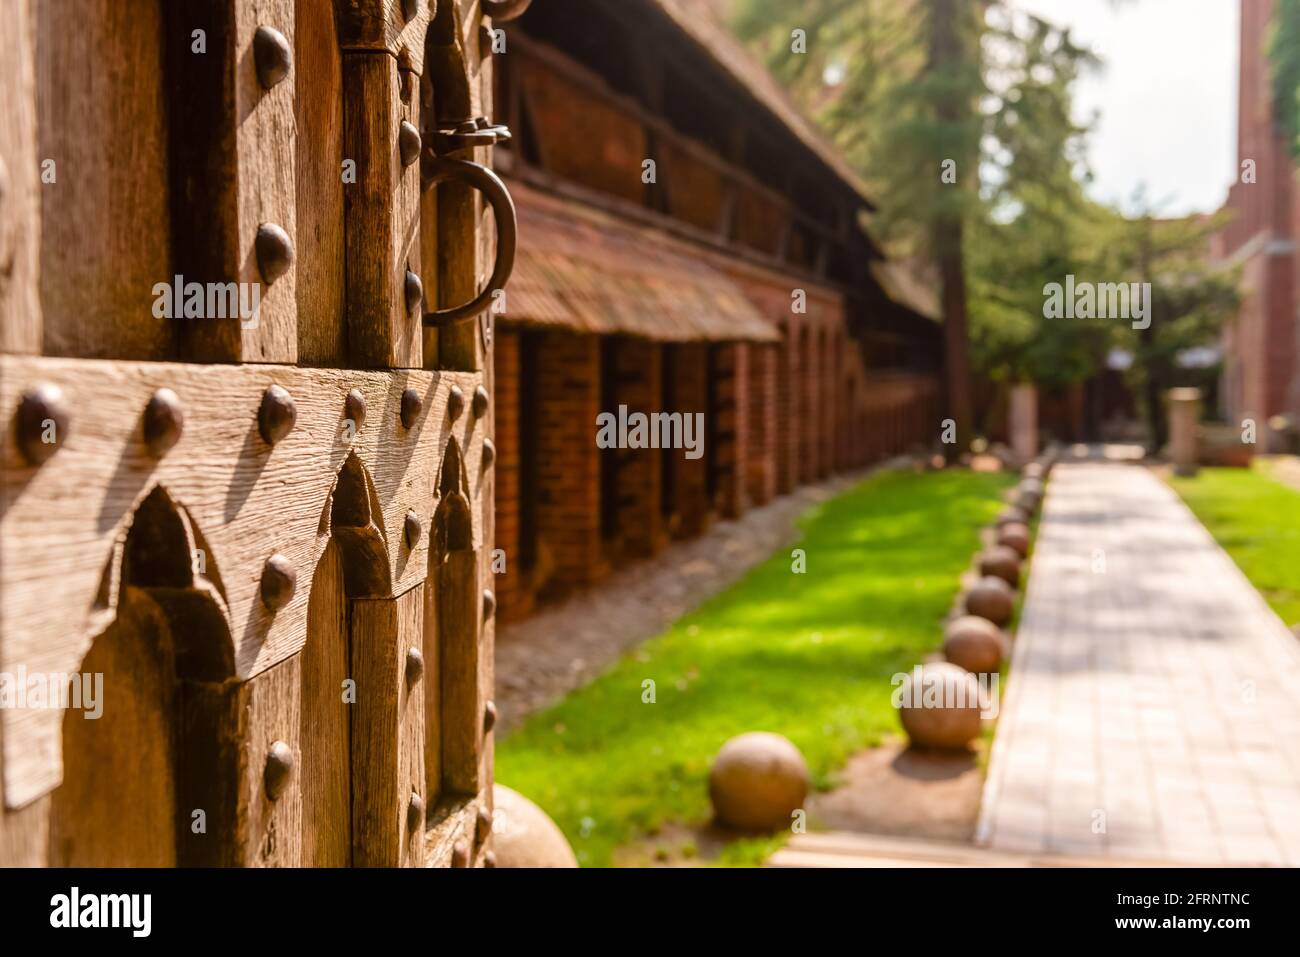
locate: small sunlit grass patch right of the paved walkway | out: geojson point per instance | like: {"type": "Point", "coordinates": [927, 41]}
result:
{"type": "Point", "coordinates": [1258, 522]}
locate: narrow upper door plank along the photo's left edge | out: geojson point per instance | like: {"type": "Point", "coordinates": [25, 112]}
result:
{"type": "Point", "coordinates": [20, 185]}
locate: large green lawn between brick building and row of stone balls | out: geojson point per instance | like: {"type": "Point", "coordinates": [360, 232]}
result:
{"type": "Point", "coordinates": [807, 656]}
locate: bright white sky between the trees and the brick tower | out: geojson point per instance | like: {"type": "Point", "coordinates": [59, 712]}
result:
{"type": "Point", "coordinates": [1167, 96]}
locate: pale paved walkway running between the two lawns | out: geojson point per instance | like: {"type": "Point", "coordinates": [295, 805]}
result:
{"type": "Point", "coordinates": [1154, 703]}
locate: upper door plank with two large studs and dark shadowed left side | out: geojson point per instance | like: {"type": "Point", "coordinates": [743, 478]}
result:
{"type": "Point", "coordinates": [233, 162]}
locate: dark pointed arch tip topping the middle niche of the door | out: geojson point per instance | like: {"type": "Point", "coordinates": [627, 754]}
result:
{"type": "Point", "coordinates": [356, 522]}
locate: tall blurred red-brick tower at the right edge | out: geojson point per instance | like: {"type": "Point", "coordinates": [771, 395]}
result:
{"type": "Point", "coordinates": [1262, 370]}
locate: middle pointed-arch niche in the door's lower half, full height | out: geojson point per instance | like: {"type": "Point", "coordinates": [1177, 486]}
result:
{"type": "Point", "coordinates": [354, 565]}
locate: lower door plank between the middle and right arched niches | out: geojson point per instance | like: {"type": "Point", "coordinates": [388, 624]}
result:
{"type": "Point", "coordinates": [388, 733]}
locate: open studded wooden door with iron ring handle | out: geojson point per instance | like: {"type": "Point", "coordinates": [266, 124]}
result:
{"type": "Point", "coordinates": [248, 457]}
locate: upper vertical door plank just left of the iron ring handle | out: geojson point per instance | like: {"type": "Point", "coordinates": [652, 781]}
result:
{"type": "Point", "coordinates": [382, 215]}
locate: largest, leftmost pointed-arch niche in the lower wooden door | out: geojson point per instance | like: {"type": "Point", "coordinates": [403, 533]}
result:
{"type": "Point", "coordinates": [148, 781]}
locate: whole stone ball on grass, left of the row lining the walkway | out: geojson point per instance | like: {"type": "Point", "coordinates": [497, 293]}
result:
{"type": "Point", "coordinates": [757, 782]}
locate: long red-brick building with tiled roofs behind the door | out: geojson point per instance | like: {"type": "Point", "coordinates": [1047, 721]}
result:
{"type": "Point", "coordinates": [688, 244]}
